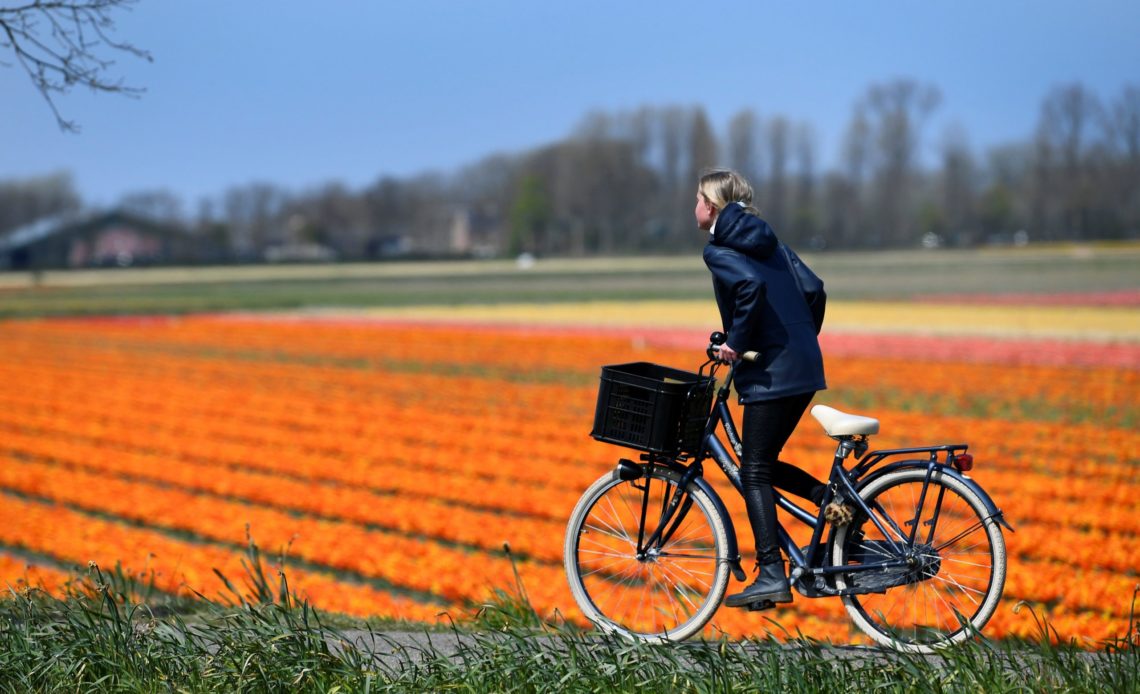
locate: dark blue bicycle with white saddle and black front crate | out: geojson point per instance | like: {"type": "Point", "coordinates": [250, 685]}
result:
{"type": "Point", "coordinates": [919, 564]}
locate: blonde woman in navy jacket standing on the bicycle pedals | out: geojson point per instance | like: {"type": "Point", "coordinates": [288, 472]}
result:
{"type": "Point", "coordinates": [763, 311]}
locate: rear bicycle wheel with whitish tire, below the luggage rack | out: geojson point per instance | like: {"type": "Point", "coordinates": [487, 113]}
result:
{"type": "Point", "coordinates": [958, 575]}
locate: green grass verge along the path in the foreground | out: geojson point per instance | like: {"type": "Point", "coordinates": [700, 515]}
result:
{"type": "Point", "coordinates": [110, 634]}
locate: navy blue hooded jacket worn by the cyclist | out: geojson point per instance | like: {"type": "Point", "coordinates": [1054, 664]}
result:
{"type": "Point", "coordinates": [762, 309]}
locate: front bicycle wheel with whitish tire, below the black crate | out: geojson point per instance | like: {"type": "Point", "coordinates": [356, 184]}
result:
{"type": "Point", "coordinates": [670, 594]}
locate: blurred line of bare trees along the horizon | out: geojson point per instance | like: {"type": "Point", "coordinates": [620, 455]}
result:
{"type": "Point", "coordinates": [625, 183]}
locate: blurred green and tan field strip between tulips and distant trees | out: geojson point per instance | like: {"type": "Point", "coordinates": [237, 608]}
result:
{"type": "Point", "coordinates": [1105, 274]}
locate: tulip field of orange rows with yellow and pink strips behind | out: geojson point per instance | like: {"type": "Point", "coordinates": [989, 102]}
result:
{"type": "Point", "coordinates": [390, 454]}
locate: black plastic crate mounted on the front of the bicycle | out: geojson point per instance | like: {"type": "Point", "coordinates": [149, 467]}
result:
{"type": "Point", "coordinates": [653, 409]}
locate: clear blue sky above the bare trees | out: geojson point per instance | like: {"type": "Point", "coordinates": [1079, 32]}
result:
{"type": "Point", "coordinates": [300, 93]}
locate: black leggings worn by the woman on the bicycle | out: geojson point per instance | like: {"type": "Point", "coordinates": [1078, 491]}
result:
{"type": "Point", "coordinates": [767, 429]}
